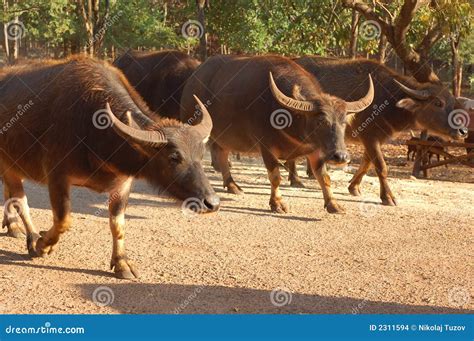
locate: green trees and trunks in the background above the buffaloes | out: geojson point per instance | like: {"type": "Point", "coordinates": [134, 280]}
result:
{"type": "Point", "coordinates": [437, 33]}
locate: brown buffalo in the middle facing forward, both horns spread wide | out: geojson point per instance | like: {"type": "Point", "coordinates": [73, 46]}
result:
{"type": "Point", "coordinates": [272, 106]}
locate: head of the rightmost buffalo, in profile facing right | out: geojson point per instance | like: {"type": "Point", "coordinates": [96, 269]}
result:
{"type": "Point", "coordinates": [434, 109]}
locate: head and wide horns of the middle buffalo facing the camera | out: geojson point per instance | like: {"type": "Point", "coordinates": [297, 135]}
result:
{"type": "Point", "coordinates": [325, 119]}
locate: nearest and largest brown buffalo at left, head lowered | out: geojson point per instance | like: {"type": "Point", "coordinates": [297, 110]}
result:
{"type": "Point", "coordinates": [84, 125]}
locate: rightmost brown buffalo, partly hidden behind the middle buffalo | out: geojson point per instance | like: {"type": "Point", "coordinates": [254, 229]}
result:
{"type": "Point", "coordinates": [400, 103]}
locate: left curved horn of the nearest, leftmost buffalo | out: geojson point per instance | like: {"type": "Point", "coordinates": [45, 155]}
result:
{"type": "Point", "coordinates": [152, 138]}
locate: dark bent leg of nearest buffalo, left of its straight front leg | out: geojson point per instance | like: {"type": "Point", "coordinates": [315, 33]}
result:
{"type": "Point", "coordinates": [59, 191]}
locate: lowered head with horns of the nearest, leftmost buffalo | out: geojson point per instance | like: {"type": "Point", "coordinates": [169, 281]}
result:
{"type": "Point", "coordinates": [172, 156]}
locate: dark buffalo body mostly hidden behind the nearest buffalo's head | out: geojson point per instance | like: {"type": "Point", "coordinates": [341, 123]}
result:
{"type": "Point", "coordinates": [158, 77]}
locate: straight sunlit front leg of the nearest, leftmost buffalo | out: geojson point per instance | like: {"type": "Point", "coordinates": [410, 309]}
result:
{"type": "Point", "coordinates": [118, 199]}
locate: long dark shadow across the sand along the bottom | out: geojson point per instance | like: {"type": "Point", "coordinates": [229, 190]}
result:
{"type": "Point", "coordinates": [143, 298]}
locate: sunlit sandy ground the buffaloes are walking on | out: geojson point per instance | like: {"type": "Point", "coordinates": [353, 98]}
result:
{"type": "Point", "coordinates": [414, 258]}
